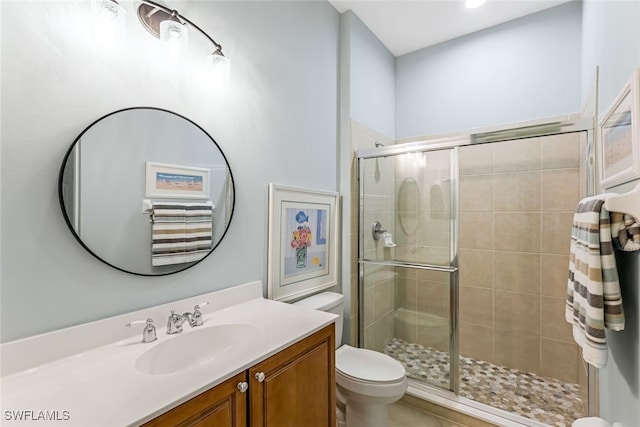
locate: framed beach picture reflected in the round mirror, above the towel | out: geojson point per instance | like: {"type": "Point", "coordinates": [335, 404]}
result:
{"type": "Point", "coordinates": [174, 181]}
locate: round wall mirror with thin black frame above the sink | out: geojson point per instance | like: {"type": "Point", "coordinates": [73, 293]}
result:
{"type": "Point", "coordinates": [146, 191]}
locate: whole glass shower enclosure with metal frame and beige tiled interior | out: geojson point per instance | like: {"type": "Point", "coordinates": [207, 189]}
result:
{"type": "Point", "coordinates": [462, 256]}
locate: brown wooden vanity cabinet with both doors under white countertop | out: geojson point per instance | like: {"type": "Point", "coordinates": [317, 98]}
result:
{"type": "Point", "coordinates": [293, 388]}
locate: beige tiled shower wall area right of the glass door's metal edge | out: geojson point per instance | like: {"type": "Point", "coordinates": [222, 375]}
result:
{"type": "Point", "coordinates": [517, 200]}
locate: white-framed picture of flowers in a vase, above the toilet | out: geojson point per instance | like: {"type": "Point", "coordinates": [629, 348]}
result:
{"type": "Point", "coordinates": [303, 239]}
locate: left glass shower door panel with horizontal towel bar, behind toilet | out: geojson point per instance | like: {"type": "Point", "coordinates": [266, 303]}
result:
{"type": "Point", "coordinates": [408, 260]}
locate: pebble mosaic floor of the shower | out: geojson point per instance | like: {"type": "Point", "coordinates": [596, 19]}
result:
{"type": "Point", "coordinates": [546, 400]}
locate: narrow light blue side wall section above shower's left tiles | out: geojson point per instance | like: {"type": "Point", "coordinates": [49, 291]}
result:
{"type": "Point", "coordinates": [372, 79]}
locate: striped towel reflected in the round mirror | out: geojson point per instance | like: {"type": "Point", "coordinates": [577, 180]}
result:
{"type": "Point", "coordinates": [180, 232]}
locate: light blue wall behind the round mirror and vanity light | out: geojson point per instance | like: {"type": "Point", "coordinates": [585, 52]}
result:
{"type": "Point", "coordinates": [277, 123]}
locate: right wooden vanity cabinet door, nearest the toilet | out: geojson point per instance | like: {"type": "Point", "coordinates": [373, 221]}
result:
{"type": "Point", "coordinates": [296, 387]}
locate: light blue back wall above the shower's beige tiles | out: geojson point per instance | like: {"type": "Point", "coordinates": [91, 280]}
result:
{"type": "Point", "coordinates": [519, 71]}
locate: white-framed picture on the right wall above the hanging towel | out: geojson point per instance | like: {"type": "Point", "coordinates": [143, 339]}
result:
{"type": "Point", "coordinates": [619, 133]}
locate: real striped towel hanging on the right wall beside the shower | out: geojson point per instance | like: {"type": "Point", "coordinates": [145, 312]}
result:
{"type": "Point", "coordinates": [593, 291]}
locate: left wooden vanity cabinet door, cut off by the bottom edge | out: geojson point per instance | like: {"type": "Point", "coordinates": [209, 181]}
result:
{"type": "Point", "coordinates": [222, 406]}
